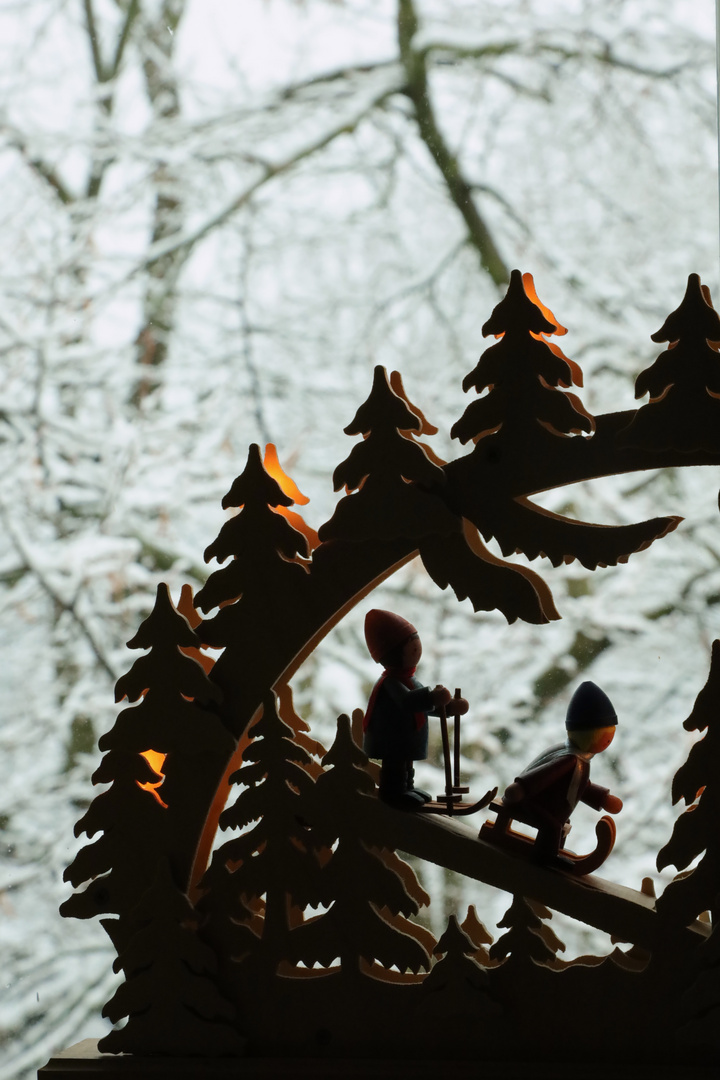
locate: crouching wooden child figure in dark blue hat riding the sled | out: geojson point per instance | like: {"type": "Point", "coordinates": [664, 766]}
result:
{"type": "Point", "coordinates": [546, 794]}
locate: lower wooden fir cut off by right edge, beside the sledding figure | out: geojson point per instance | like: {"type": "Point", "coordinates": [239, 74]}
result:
{"type": "Point", "coordinates": [698, 831]}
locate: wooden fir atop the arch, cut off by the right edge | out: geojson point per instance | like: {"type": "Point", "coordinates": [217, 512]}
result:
{"type": "Point", "coordinates": [684, 384]}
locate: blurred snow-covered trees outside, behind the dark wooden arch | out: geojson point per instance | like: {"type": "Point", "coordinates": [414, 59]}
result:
{"type": "Point", "coordinates": [216, 218]}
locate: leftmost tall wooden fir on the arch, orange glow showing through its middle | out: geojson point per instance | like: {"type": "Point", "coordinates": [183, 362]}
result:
{"type": "Point", "coordinates": [138, 816]}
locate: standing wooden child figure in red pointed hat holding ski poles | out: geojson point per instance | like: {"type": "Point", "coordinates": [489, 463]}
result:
{"type": "Point", "coordinates": [396, 723]}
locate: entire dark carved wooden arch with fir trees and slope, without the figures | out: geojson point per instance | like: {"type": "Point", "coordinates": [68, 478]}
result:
{"type": "Point", "coordinates": [297, 931]}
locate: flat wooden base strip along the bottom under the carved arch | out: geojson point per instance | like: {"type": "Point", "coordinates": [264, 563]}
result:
{"type": "Point", "coordinates": [85, 1062]}
